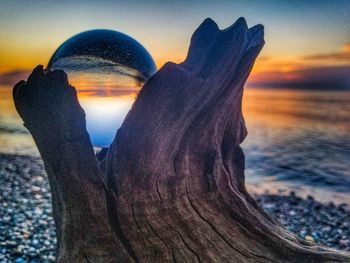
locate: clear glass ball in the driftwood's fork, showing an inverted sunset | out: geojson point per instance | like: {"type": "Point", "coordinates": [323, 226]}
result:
{"type": "Point", "coordinates": [108, 69]}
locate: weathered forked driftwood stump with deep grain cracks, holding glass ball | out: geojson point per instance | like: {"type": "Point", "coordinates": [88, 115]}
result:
{"type": "Point", "coordinates": [171, 186]}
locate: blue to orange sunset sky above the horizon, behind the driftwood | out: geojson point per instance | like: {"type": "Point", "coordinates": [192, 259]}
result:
{"type": "Point", "coordinates": [307, 42]}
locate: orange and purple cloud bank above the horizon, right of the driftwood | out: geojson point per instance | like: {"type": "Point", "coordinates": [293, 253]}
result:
{"type": "Point", "coordinates": [318, 71]}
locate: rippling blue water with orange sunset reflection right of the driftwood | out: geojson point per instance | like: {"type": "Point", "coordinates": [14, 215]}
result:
{"type": "Point", "coordinates": [298, 136]}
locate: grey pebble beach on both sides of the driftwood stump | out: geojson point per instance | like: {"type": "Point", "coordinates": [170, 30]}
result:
{"type": "Point", "coordinates": [27, 232]}
